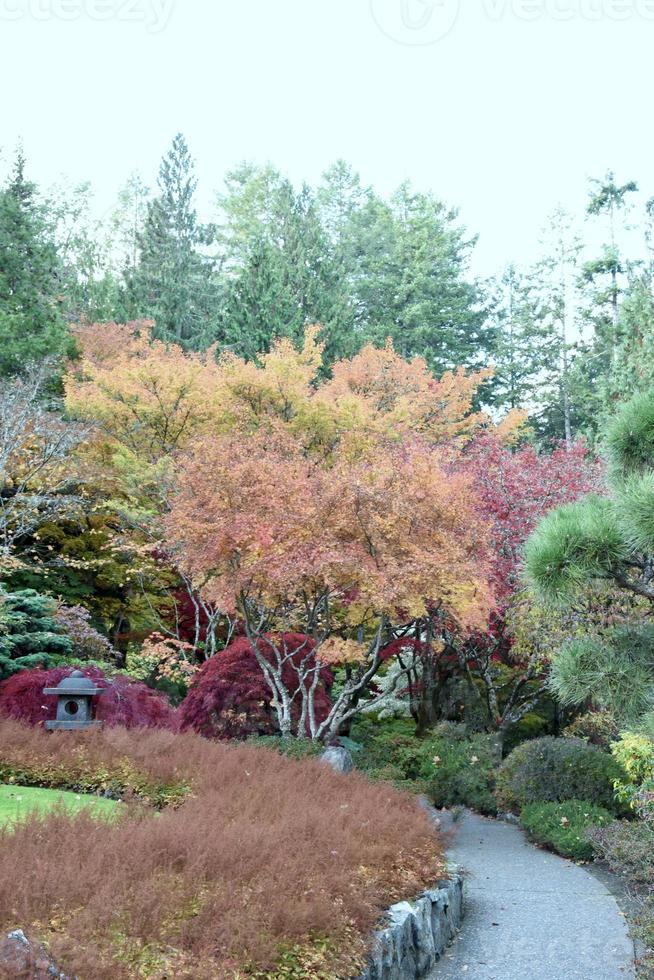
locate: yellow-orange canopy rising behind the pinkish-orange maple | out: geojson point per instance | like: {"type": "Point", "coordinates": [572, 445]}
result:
{"type": "Point", "coordinates": [154, 399]}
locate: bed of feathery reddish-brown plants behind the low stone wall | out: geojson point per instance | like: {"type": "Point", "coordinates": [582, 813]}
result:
{"type": "Point", "coordinates": [266, 854]}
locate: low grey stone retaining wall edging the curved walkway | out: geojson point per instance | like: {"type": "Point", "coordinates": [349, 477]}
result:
{"type": "Point", "coordinates": [418, 933]}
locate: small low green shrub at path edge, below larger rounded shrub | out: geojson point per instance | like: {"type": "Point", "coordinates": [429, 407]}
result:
{"type": "Point", "coordinates": [563, 826]}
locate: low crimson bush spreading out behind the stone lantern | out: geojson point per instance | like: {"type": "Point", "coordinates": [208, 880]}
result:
{"type": "Point", "coordinates": [124, 701]}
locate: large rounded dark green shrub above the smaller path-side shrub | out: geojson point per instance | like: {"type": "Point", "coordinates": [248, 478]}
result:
{"type": "Point", "coordinates": [557, 769]}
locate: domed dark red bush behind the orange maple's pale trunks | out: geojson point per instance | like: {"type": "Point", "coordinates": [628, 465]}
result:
{"type": "Point", "coordinates": [230, 698]}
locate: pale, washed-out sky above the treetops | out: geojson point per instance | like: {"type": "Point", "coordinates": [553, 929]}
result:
{"type": "Point", "coordinates": [504, 109]}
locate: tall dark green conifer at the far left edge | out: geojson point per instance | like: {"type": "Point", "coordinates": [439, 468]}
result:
{"type": "Point", "coordinates": [32, 280]}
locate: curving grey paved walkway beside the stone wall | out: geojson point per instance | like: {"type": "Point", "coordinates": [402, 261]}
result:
{"type": "Point", "coordinates": [531, 915]}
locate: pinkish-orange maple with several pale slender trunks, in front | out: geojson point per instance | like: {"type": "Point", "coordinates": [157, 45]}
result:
{"type": "Point", "coordinates": [340, 552]}
